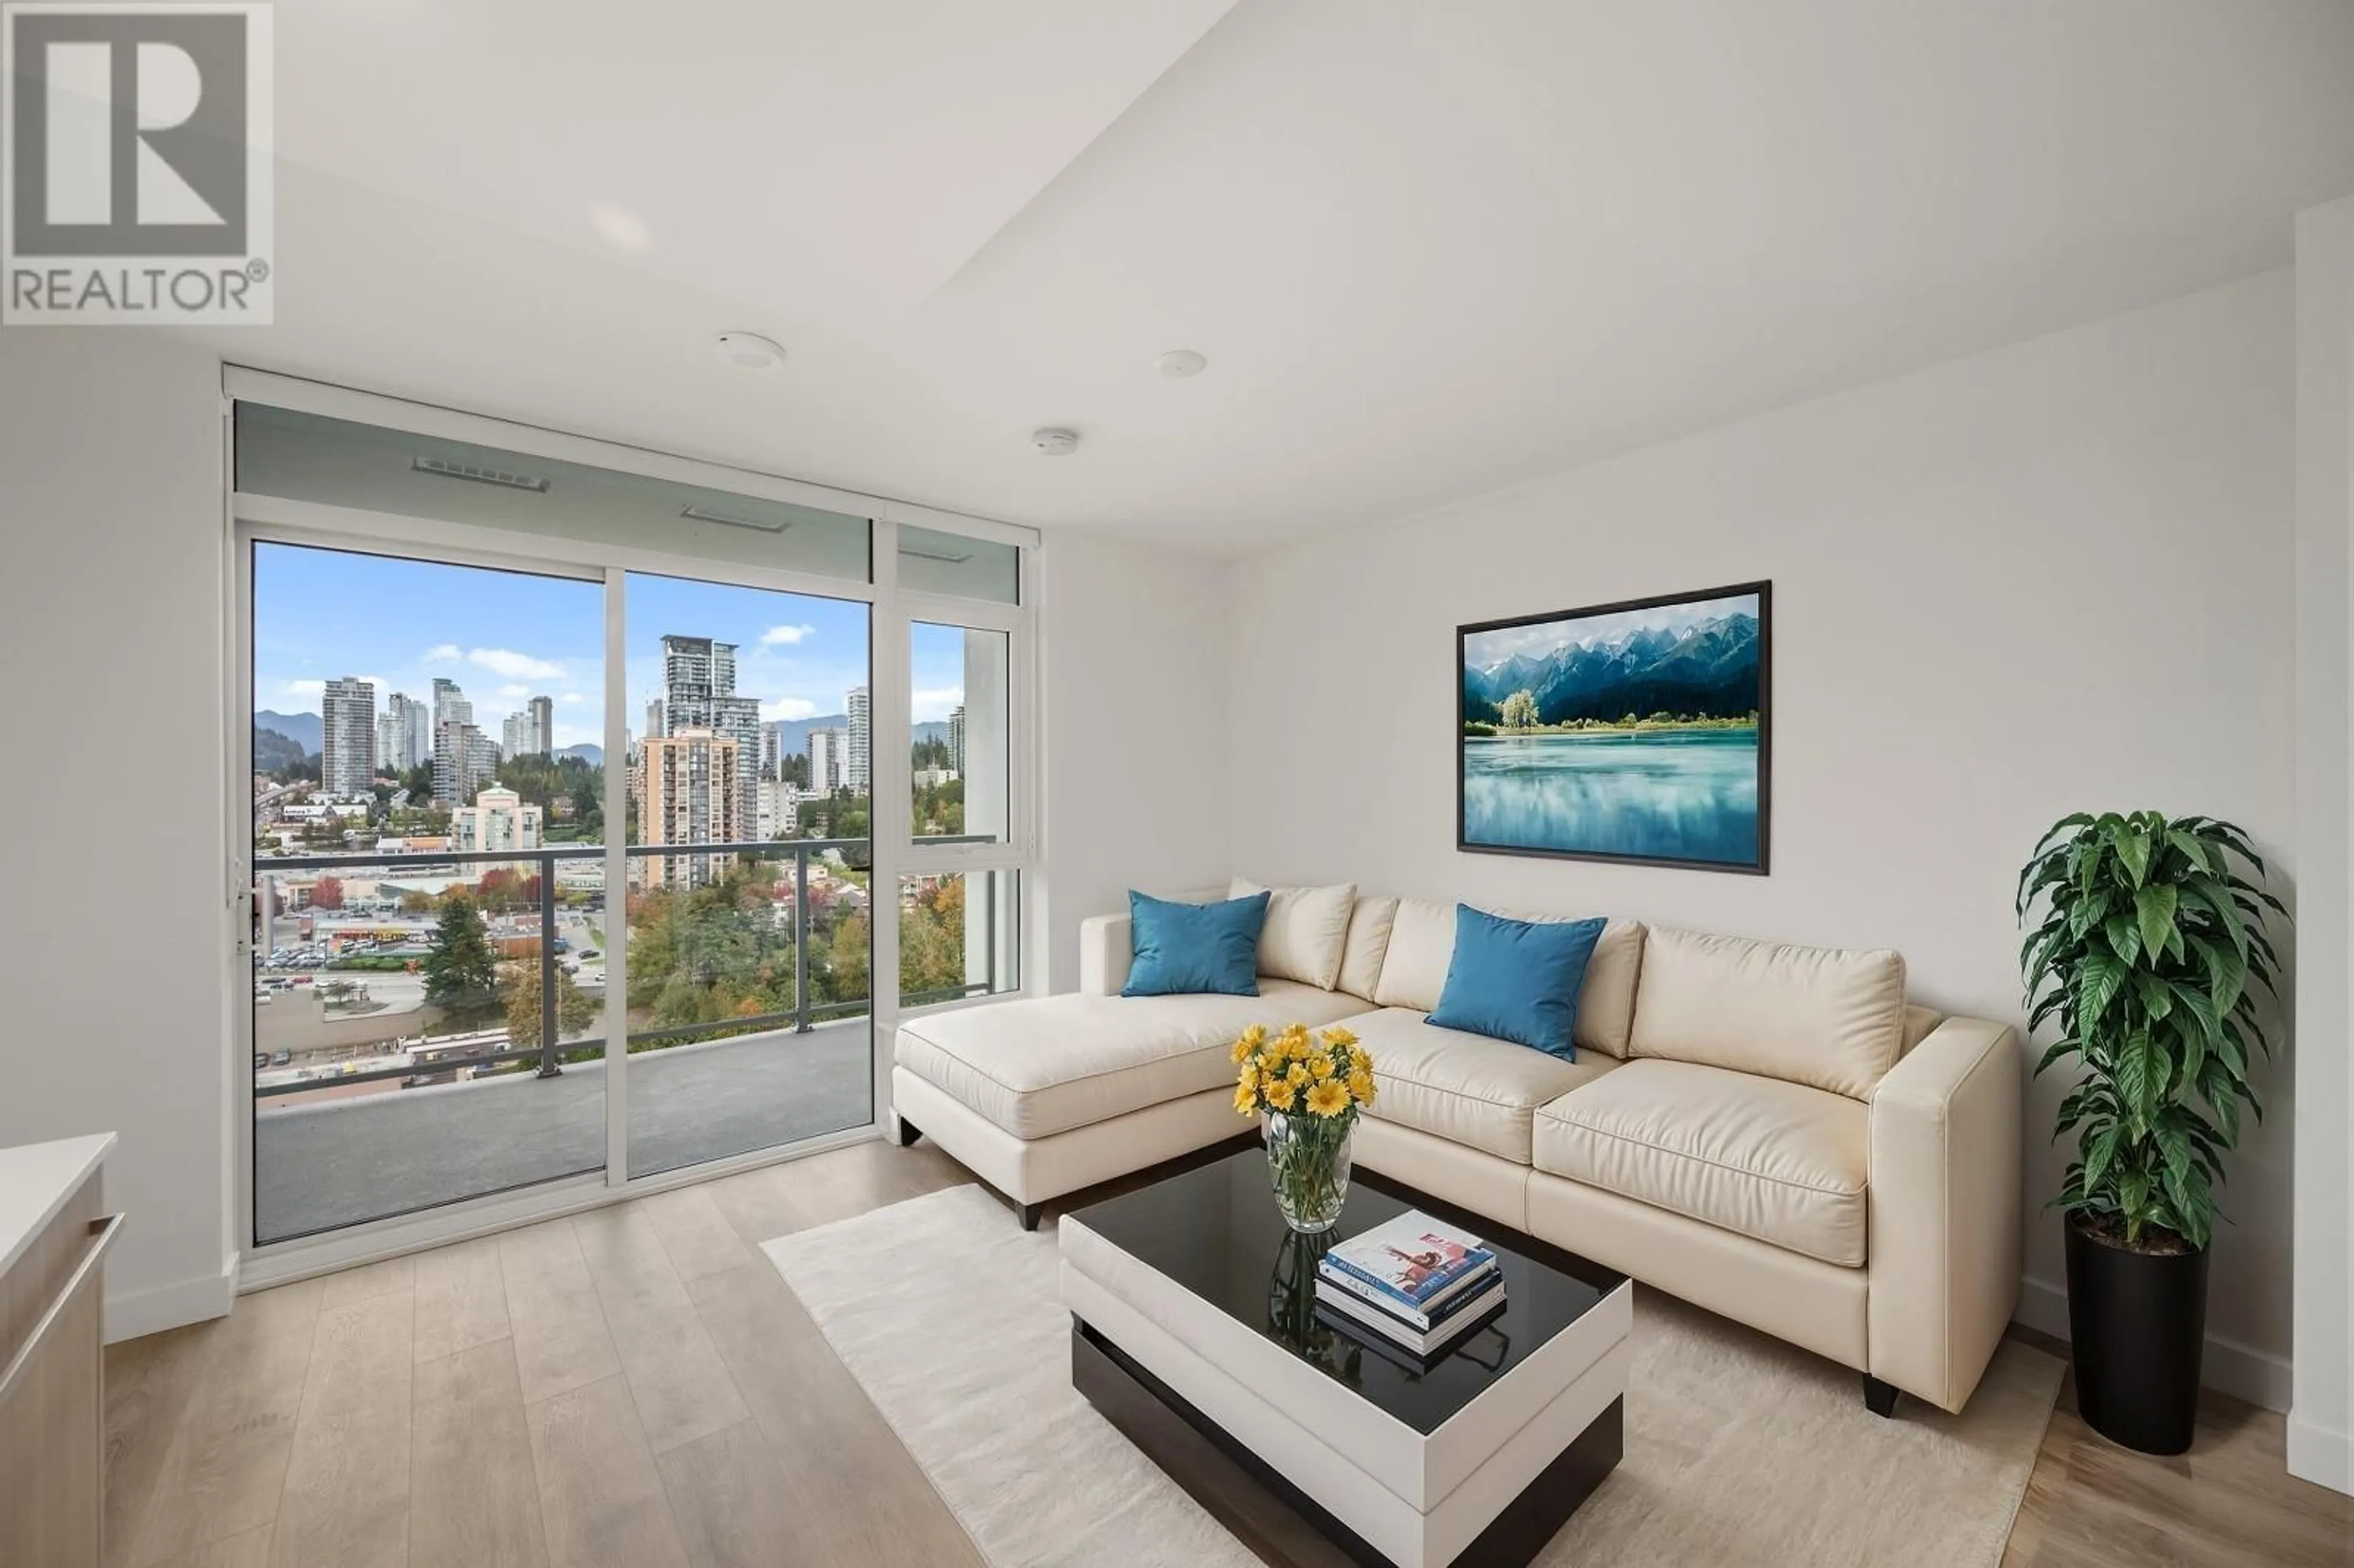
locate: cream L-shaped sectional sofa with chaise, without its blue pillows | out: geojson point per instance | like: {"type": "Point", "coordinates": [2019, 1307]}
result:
{"type": "Point", "coordinates": [1767, 1131]}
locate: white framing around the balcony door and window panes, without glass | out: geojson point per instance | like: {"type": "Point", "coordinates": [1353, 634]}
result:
{"type": "Point", "coordinates": [260, 519]}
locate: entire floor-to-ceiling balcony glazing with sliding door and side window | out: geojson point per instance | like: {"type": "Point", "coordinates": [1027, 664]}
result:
{"type": "Point", "coordinates": [601, 818]}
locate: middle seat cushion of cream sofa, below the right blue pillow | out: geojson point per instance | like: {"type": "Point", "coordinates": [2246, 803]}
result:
{"type": "Point", "coordinates": [1468, 1089]}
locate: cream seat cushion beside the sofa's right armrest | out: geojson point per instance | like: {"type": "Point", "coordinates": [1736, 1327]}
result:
{"type": "Point", "coordinates": [1776, 1162]}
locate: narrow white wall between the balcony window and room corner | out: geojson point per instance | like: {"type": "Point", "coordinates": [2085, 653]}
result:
{"type": "Point", "coordinates": [1136, 780]}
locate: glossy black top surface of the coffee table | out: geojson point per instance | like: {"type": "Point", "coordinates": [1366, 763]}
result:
{"type": "Point", "coordinates": [1216, 1233]}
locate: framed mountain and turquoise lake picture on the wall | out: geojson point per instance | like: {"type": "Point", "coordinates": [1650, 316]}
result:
{"type": "Point", "coordinates": [1621, 733]}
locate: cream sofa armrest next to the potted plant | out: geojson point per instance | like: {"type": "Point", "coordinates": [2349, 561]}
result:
{"type": "Point", "coordinates": [1943, 1249]}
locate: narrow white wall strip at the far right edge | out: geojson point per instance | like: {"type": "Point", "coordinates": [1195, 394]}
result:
{"type": "Point", "coordinates": [2322, 1414]}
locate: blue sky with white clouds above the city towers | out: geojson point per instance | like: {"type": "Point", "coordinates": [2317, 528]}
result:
{"type": "Point", "coordinates": [510, 637]}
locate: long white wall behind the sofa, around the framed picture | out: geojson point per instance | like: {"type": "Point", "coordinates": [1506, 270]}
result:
{"type": "Point", "coordinates": [2009, 587]}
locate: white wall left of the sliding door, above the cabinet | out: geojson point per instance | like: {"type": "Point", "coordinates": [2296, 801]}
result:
{"type": "Point", "coordinates": [112, 945]}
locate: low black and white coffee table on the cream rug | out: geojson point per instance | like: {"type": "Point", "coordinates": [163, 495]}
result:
{"type": "Point", "coordinates": [1195, 1331]}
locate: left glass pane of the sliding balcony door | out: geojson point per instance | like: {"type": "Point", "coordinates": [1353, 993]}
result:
{"type": "Point", "coordinates": [423, 875]}
